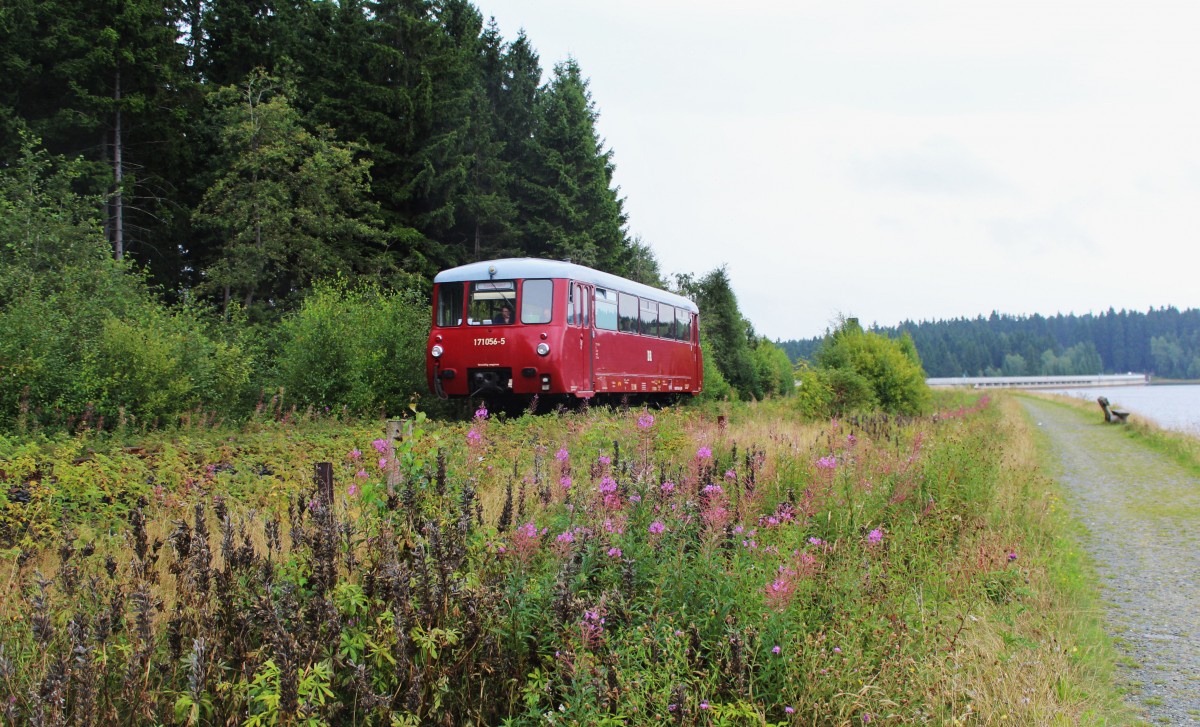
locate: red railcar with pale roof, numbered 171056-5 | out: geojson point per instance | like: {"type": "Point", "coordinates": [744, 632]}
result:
{"type": "Point", "coordinates": [571, 333]}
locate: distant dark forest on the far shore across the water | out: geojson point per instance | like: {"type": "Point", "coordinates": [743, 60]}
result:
{"type": "Point", "coordinates": [1165, 343]}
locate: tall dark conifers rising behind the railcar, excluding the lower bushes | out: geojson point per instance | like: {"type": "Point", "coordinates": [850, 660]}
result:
{"type": "Point", "coordinates": [243, 149]}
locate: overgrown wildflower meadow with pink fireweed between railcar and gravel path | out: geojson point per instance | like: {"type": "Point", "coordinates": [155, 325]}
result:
{"type": "Point", "coordinates": [597, 568]}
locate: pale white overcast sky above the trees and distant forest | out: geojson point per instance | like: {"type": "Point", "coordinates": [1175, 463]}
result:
{"type": "Point", "coordinates": [896, 161]}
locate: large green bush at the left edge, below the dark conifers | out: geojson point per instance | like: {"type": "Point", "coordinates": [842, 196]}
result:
{"type": "Point", "coordinates": [83, 334]}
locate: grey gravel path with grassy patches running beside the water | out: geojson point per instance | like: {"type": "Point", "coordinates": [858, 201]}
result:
{"type": "Point", "coordinates": [1143, 513]}
